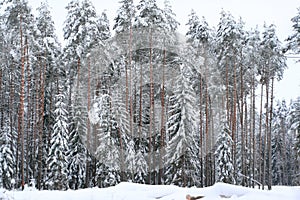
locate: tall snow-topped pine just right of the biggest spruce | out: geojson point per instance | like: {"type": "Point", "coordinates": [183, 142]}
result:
{"type": "Point", "coordinates": [198, 38]}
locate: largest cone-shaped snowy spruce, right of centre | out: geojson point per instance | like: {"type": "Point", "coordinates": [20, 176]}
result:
{"type": "Point", "coordinates": [181, 152]}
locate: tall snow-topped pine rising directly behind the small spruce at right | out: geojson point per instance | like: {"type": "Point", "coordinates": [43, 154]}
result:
{"type": "Point", "coordinates": [228, 48]}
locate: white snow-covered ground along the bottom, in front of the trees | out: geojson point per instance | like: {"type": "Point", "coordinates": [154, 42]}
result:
{"type": "Point", "coordinates": [130, 191]}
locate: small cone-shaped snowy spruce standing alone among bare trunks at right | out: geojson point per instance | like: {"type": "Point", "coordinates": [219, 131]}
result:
{"type": "Point", "coordinates": [224, 161]}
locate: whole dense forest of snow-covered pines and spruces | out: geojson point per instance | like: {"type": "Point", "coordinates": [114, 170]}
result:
{"type": "Point", "coordinates": [142, 103]}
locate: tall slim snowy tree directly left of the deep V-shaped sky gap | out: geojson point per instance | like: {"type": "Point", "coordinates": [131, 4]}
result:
{"type": "Point", "coordinates": [50, 51]}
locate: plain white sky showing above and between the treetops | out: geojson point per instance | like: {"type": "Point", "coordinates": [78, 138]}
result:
{"type": "Point", "coordinates": [253, 12]}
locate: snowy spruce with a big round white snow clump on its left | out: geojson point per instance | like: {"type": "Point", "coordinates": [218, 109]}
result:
{"type": "Point", "coordinates": [108, 151]}
